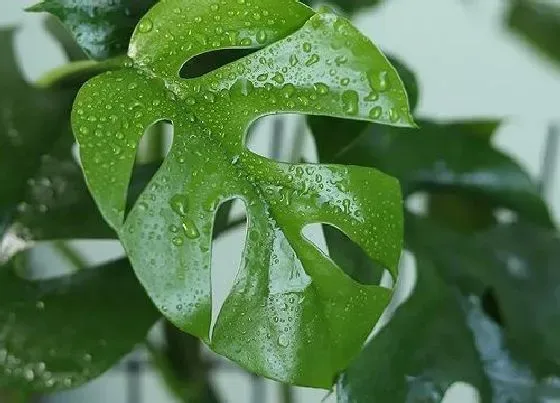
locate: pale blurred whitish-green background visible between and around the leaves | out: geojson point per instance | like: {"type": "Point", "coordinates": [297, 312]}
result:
{"type": "Point", "coordinates": [468, 65]}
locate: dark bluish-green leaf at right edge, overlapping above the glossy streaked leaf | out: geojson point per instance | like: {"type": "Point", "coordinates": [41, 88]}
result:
{"type": "Point", "coordinates": [517, 264]}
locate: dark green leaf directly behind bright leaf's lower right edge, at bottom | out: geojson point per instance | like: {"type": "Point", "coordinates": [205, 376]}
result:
{"type": "Point", "coordinates": [426, 347]}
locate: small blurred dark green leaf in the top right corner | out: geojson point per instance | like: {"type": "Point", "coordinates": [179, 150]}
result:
{"type": "Point", "coordinates": [538, 22]}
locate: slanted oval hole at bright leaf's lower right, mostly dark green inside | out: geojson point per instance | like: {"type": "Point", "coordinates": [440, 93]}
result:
{"type": "Point", "coordinates": [347, 254]}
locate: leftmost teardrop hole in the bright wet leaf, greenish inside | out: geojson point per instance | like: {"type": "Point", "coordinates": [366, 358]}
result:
{"type": "Point", "coordinates": [152, 150]}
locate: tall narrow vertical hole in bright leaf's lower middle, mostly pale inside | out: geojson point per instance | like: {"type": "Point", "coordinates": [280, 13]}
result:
{"type": "Point", "coordinates": [227, 251]}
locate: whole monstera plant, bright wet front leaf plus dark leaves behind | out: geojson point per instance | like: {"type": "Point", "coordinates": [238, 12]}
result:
{"type": "Point", "coordinates": [484, 310]}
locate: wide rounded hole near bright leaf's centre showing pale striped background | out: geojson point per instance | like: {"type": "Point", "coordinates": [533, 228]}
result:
{"type": "Point", "coordinates": [282, 138]}
